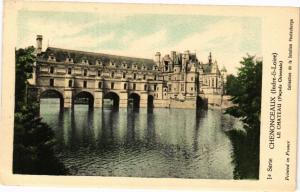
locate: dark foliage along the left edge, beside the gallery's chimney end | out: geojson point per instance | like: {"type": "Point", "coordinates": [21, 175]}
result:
{"type": "Point", "coordinates": [33, 139]}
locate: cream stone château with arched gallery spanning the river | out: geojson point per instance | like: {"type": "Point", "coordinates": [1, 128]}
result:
{"type": "Point", "coordinates": [177, 80]}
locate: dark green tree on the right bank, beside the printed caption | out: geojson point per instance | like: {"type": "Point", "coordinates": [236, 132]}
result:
{"type": "Point", "coordinates": [245, 90]}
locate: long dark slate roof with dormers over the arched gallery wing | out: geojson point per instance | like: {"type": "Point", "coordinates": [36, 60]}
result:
{"type": "Point", "coordinates": [62, 54]}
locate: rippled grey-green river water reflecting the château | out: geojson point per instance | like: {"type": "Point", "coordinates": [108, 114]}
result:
{"type": "Point", "coordinates": [177, 143]}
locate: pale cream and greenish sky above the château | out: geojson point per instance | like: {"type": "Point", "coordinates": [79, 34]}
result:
{"type": "Point", "coordinates": [142, 35]}
